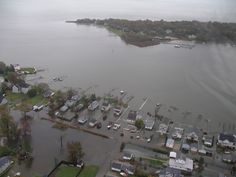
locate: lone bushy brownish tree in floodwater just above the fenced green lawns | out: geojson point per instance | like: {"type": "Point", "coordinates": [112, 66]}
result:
{"type": "Point", "coordinates": [74, 151]}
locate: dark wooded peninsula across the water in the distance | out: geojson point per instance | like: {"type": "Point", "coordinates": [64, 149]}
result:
{"type": "Point", "coordinates": [143, 33]}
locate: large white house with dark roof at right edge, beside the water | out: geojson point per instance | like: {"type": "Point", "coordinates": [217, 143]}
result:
{"type": "Point", "coordinates": [226, 141]}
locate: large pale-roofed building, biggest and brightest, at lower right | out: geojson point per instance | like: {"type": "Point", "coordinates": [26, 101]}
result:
{"type": "Point", "coordinates": [185, 165]}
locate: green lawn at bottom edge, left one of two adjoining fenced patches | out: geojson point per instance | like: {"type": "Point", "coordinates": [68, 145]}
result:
{"type": "Point", "coordinates": [67, 171]}
